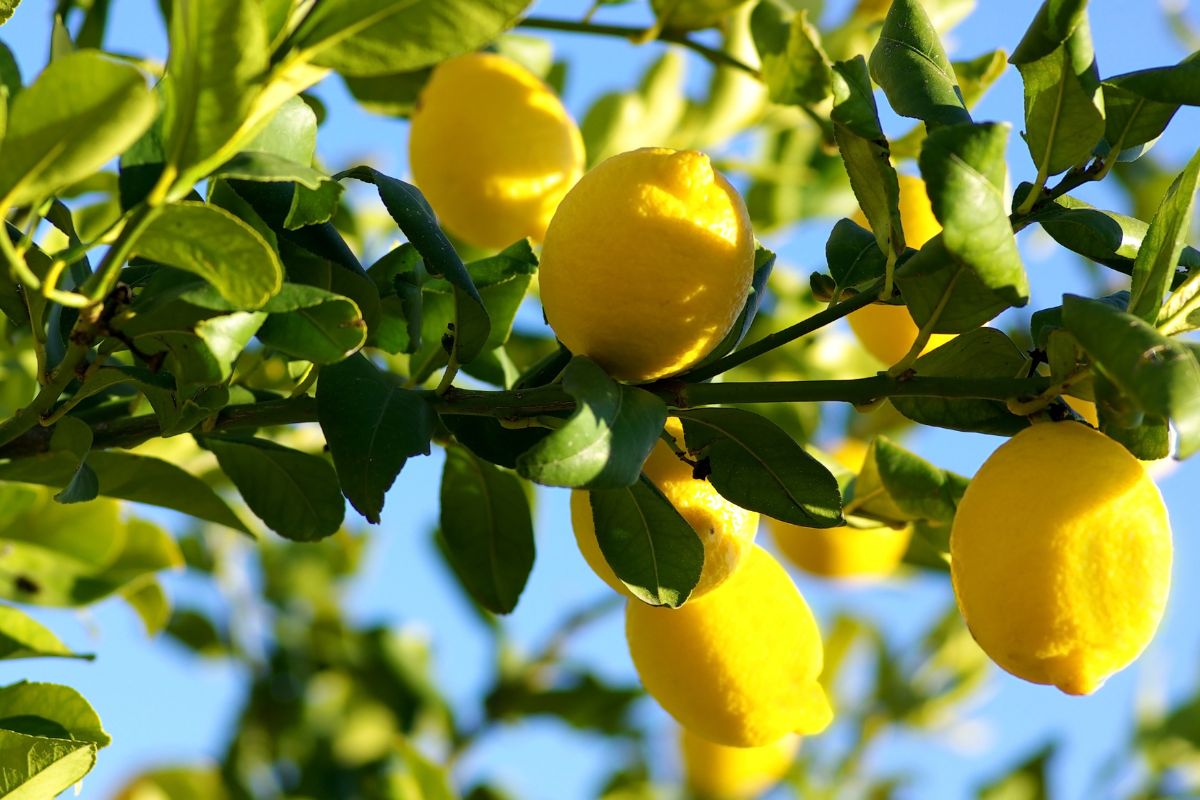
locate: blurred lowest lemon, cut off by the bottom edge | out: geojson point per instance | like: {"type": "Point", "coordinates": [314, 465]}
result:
{"type": "Point", "coordinates": [721, 773]}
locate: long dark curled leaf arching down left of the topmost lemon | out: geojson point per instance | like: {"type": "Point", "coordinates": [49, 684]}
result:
{"type": "Point", "coordinates": [416, 219]}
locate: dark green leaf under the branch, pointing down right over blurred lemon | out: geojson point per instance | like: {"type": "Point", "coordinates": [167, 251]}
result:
{"type": "Point", "coordinates": [755, 465]}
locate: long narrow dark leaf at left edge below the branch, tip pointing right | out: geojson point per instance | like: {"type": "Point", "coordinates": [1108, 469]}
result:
{"type": "Point", "coordinates": [129, 477]}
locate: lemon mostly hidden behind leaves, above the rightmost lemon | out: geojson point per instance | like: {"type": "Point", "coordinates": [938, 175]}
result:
{"type": "Point", "coordinates": [887, 332]}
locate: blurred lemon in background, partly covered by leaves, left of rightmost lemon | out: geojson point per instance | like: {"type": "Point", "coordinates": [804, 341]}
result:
{"type": "Point", "coordinates": [843, 552]}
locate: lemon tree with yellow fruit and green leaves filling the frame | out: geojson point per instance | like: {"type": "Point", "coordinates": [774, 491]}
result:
{"type": "Point", "coordinates": [220, 351]}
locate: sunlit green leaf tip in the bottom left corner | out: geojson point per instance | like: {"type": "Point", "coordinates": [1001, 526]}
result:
{"type": "Point", "coordinates": [35, 768]}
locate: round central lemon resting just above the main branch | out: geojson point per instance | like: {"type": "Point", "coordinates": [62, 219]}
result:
{"type": "Point", "coordinates": [647, 263]}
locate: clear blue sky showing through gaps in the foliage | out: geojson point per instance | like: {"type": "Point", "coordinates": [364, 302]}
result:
{"type": "Point", "coordinates": [161, 705]}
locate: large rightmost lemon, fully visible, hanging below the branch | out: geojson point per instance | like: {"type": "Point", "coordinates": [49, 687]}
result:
{"type": "Point", "coordinates": [1061, 557]}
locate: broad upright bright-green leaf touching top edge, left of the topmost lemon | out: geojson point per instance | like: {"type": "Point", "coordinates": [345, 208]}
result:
{"type": "Point", "coordinates": [219, 58]}
